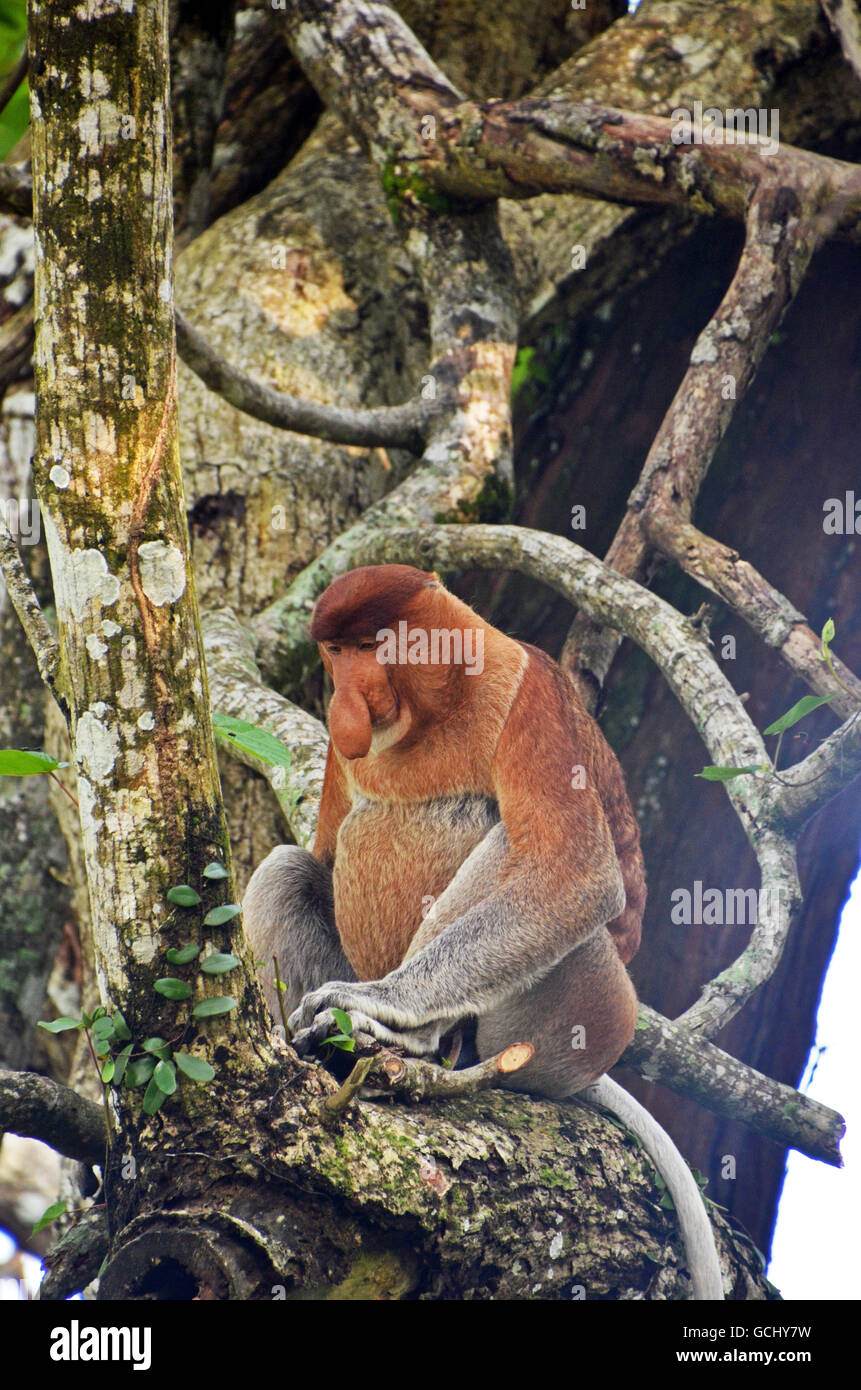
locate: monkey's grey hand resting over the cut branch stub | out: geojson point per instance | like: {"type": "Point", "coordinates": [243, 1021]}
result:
{"type": "Point", "coordinates": [314, 1021]}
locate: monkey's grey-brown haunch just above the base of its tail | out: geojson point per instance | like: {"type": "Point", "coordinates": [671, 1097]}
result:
{"type": "Point", "coordinates": [579, 1018]}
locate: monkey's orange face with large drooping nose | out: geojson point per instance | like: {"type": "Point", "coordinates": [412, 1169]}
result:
{"type": "Point", "coordinates": [365, 707]}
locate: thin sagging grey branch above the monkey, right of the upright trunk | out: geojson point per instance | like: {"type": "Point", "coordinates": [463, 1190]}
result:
{"type": "Point", "coordinates": [399, 426]}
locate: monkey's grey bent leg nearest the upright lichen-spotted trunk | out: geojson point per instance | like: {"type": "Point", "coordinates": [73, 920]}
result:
{"type": "Point", "coordinates": [289, 910]}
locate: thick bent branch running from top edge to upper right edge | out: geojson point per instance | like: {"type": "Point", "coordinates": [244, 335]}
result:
{"type": "Point", "coordinates": [369, 66]}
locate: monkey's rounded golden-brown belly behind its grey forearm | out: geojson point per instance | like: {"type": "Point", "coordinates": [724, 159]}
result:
{"type": "Point", "coordinates": [393, 861]}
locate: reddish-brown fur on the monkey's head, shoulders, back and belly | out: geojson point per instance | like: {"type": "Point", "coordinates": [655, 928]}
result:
{"type": "Point", "coordinates": [513, 735]}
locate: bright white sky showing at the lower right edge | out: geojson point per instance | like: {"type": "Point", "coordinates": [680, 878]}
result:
{"type": "Point", "coordinates": [816, 1248]}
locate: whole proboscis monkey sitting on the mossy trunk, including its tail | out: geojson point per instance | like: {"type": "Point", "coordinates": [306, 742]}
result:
{"type": "Point", "coordinates": [464, 774]}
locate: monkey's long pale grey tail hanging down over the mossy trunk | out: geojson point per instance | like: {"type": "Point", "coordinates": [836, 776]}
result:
{"type": "Point", "coordinates": [691, 1209]}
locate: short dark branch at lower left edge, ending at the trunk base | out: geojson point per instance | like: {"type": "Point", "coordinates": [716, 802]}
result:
{"type": "Point", "coordinates": [38, 1109]}
